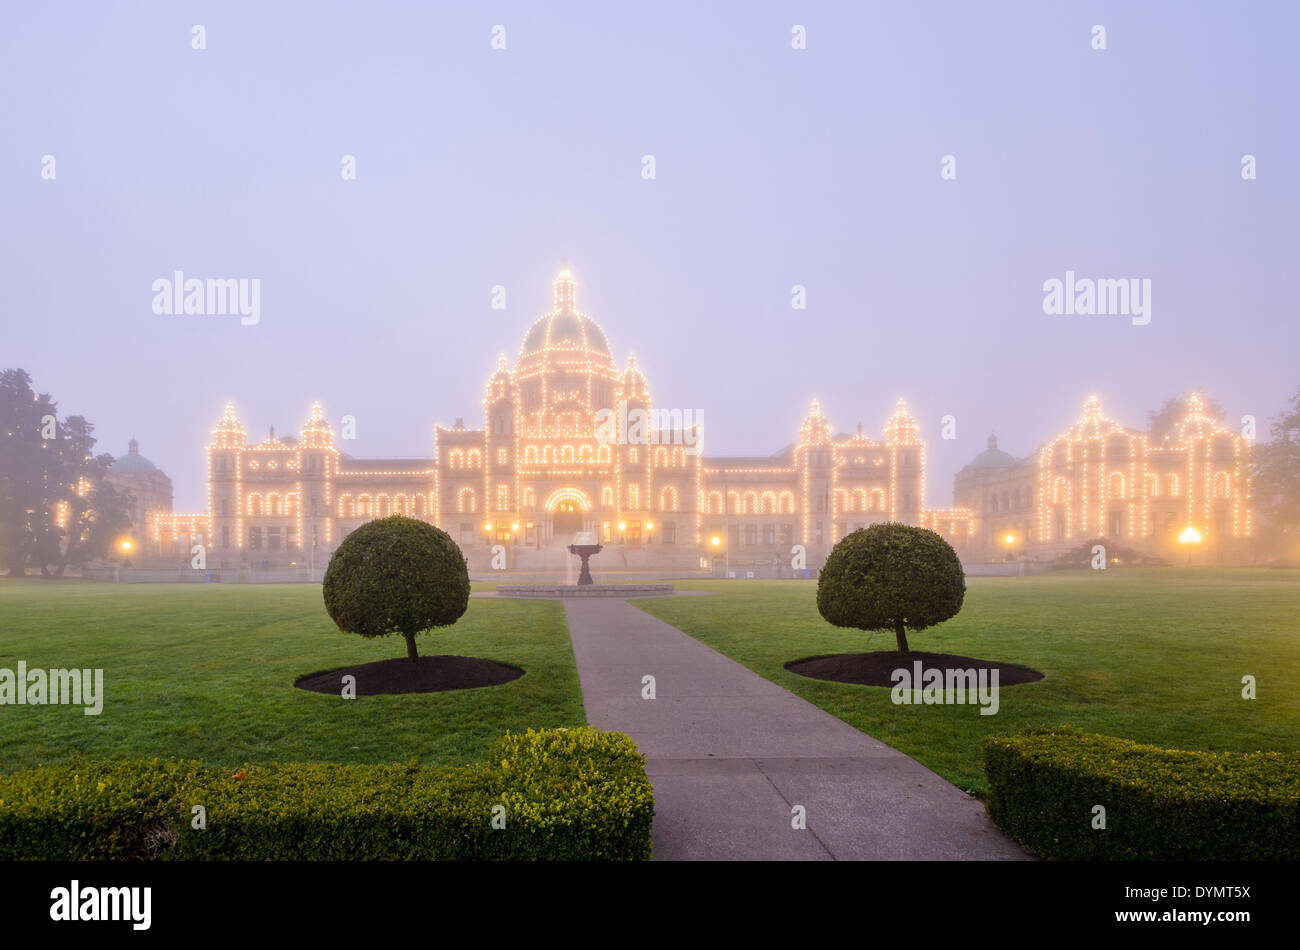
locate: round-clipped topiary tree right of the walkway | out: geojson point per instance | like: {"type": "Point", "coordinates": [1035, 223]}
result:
{"type": "Point", "coordinates": [891, 578]}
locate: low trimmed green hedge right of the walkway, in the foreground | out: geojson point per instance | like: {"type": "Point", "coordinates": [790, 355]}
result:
{"type": "Point", "coordinates": [1162, 804]}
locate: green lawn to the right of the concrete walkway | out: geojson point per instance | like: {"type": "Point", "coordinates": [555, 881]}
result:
{"type": "Point", "coordinates": [1155, 656]}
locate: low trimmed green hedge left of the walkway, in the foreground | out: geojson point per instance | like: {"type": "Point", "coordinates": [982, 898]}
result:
{"type": "Point", "coordinates": [569, 795]}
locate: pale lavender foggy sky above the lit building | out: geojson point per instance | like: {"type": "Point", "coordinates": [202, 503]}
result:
{"type": "Point", "coordinates": [775, 168]}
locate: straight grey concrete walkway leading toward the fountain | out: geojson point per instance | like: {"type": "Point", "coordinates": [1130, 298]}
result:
{"type": "Point", "coordinates": [731, 754]}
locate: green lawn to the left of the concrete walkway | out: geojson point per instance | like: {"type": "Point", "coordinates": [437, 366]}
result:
{"type": "Point", "coordinates": [207, 673]}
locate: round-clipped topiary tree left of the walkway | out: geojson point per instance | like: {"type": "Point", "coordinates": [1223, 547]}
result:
{"type": "Point", "coordinates": [397, 575]}
